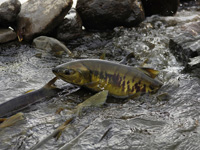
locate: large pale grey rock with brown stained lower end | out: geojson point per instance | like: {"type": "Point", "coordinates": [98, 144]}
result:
{"type": "Point", "coordinates": [40, 17]}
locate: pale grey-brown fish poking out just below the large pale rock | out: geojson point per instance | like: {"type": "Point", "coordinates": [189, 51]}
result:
{"type": "Point", "coordinates": [51, 45]}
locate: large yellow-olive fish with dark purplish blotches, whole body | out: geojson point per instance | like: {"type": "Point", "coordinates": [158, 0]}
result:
{"type": "Point", "coordinates": [120, 80]}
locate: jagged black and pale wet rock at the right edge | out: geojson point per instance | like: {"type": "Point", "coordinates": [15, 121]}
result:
{"type": "Point", "coordinates": [186, 46]}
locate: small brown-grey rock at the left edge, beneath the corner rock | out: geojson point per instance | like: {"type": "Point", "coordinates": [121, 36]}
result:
{"type": "Point", "coordinates": [7, 35]}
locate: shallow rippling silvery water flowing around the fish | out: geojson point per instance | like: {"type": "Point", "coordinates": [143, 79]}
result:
{"type": "Point", "coordinates": [141, 123]}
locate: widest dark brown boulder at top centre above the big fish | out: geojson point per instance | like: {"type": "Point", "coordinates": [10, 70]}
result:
{"type": "Point", "coordinates": [101, 14]}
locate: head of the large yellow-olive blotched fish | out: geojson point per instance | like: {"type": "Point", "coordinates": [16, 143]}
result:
{"type": "Point", "coordinates": [73, 72]}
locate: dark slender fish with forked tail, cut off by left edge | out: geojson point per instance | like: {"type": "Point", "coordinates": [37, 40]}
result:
{"type": "Point", "coordinates": [16, 104]}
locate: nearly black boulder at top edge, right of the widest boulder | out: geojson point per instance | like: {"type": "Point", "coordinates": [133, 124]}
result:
{"type": "Point", "coordinates": [160, 7]}
